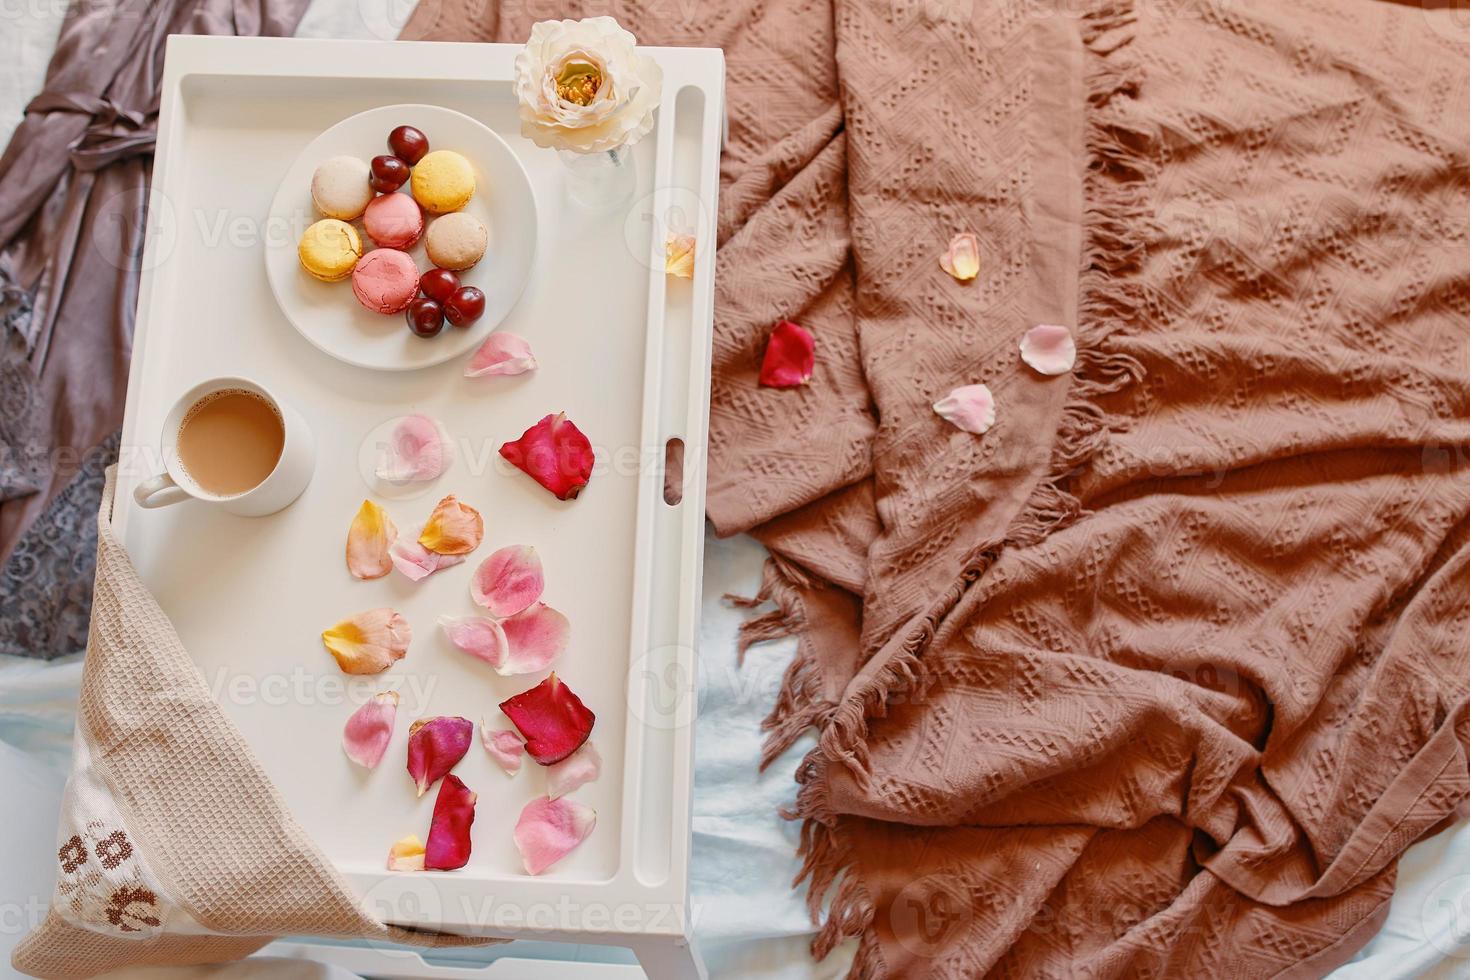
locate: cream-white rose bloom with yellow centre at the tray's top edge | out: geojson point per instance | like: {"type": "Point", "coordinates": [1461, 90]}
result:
{"type": "Point", "coordinates": [584, 86]}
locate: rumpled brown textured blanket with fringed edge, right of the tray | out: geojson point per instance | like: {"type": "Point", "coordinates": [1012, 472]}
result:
{"type": "Point", "coordinates": [1162, 674]}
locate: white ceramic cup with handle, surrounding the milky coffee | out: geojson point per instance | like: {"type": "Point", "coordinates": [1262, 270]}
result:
{"type": "Point", "coordinates": [283, 486]}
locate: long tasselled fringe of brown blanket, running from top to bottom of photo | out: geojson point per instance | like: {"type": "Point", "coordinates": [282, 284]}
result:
{"type": "Point", "coordinates": [1118, 223]}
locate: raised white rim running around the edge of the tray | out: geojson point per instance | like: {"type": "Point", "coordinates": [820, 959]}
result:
{"type": "Point", "coordinates": [214, 57]}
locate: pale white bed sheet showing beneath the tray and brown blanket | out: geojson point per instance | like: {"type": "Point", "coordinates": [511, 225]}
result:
{"type": "Point", "coordinates": [749, 920]}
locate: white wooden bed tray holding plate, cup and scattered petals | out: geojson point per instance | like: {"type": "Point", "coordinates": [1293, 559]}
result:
{"type": "Point", "coordinates": [624, 350]}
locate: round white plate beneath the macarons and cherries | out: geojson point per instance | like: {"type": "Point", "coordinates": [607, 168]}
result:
{"type": "Point", "coordinates": [329, 315]}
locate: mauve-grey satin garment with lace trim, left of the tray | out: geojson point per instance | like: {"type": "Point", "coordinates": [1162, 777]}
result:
{"type": "Point", "coordinates": [73, 208]}
